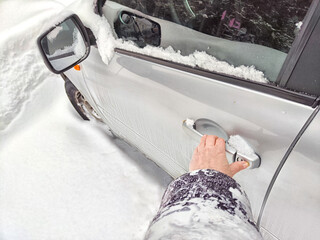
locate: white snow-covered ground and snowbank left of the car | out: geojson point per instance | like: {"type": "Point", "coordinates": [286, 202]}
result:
{"type": "Point", "coordinates": [61, 177]}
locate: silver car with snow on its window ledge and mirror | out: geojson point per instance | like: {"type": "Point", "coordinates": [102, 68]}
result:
{"type": "Point", "coordinates": [161, 74]}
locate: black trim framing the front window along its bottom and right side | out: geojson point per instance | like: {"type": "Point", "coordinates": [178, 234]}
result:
{"type": "Point", "coordinates": [285, 74]}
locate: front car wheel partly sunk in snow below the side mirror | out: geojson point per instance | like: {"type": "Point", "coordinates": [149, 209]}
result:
{"type": "Point", "coordinates": [79, 103]}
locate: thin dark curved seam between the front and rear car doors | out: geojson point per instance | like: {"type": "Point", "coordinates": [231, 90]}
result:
{"type": "Point", "coordinates": [283, 161]}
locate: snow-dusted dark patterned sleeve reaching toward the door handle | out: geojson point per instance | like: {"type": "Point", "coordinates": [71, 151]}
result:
{"type": "Point", "coordinates": [203, 204]}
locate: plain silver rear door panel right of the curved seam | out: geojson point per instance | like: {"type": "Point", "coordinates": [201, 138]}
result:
{"type": "Point", "coordinates": [294, 198]}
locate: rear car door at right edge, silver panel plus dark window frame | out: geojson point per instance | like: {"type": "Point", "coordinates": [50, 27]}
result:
{"type": "Point", "coordinates": [292, 209]}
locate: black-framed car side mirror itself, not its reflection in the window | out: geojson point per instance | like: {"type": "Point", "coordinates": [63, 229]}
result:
{"type": "Point", "coordinates": [64, 45]}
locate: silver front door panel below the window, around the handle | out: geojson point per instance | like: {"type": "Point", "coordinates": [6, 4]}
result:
{"type": "Point", "coordinates": [146, 103]}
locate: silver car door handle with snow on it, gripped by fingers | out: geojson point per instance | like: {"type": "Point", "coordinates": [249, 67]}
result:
{"type": "Point", "coordinates": [193, 128]}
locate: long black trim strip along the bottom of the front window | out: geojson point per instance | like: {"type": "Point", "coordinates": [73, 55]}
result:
{"type": "Point", "coordinates": [260, 87]}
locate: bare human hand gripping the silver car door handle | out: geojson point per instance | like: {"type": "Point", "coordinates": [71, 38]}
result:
{"type": "Point", "coordinates": [211, 154]}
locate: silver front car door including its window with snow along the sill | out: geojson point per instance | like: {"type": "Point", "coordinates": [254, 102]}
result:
{"type": "Point", "coordinates": [145, 94]}
